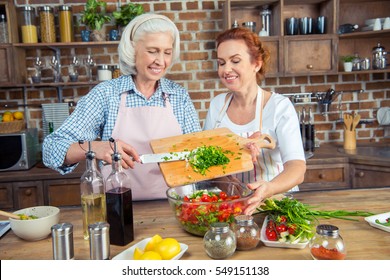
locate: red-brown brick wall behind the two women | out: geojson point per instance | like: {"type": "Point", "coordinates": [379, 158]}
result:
{"type": "Point", "coordinates": [199, 22]}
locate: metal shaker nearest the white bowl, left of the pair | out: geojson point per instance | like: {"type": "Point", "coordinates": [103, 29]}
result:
{"type": "Point", "coordinates": [62, 241]}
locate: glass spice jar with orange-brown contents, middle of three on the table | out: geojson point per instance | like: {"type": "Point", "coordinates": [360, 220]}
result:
{"type": "Point", "coordinates": [247, 232]}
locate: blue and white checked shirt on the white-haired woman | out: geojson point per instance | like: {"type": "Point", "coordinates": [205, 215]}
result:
{"type": "Point", "coordinates": [96, 113]}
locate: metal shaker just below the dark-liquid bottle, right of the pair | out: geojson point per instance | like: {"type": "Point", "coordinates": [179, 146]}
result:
{"type": "Point", "coordinates": [99, 241]}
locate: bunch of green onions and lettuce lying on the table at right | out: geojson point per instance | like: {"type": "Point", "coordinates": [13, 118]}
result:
{"type": "Point", "coordinates": [304, 215]}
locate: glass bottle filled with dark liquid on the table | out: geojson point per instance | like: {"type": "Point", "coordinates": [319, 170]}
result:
{"type": "Point", "coordinates": [119, 203]}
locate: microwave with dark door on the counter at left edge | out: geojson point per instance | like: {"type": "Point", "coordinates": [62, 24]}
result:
{"type": "Point", "coordinates": [19, 150]}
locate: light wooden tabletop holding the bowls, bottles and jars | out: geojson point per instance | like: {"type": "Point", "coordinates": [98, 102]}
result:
{"type": "Point", "coordinates": [155, 217]}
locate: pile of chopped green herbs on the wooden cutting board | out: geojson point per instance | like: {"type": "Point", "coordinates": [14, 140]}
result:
{"type": "Point", "coordinates": [202, 158]}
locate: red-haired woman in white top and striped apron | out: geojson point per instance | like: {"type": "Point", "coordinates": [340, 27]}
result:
{"type": "Point", "coordinates": [249, 110]}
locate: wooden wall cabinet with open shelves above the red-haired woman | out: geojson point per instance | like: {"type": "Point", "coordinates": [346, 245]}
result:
{"type": "Point", "coordinates": [313, 54]}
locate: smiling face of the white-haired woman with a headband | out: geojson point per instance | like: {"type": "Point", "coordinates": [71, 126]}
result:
{"type": "Point", "coordinates": [153, 56]}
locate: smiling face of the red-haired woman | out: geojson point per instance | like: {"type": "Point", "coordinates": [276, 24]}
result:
{"type": "Point", "coordinates": [236, 69]}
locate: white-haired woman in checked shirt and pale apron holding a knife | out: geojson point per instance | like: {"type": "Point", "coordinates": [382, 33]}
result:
{"type": "Point", "coordinates": [135, 108]}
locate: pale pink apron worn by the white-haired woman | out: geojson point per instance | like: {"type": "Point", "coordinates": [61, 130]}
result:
{"type": "Point", "coordinates": [137, 127]}
